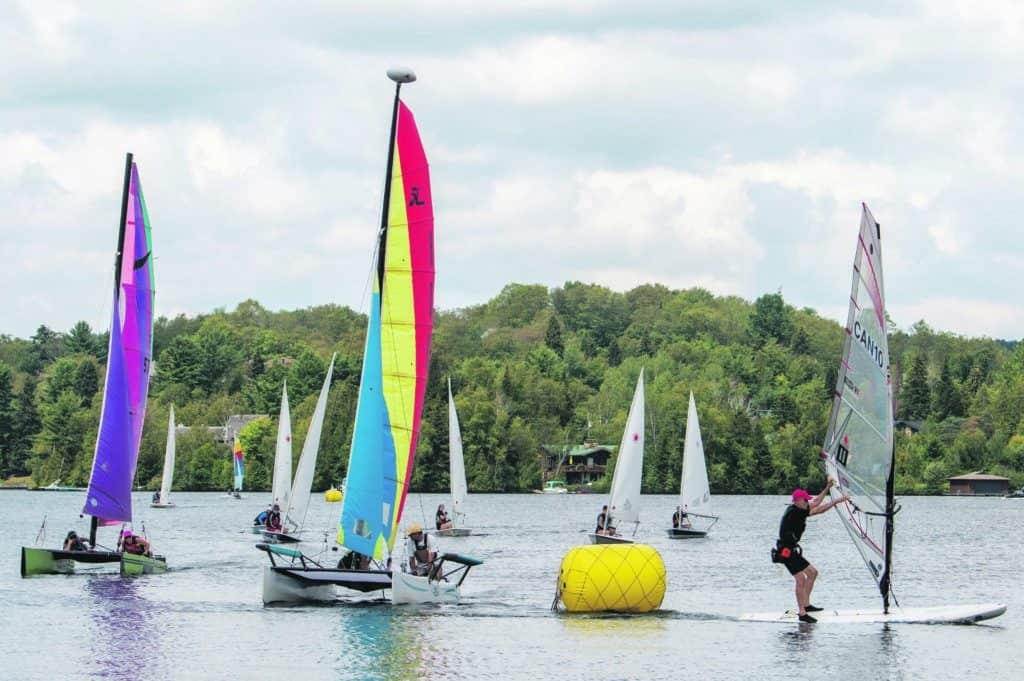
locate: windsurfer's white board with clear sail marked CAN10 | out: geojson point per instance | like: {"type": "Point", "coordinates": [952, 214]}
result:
{"type": "Point", "coordinates": [859, 451]}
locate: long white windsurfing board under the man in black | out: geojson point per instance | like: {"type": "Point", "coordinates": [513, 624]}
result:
{"type": "Point", "coordinates": [940, 615]}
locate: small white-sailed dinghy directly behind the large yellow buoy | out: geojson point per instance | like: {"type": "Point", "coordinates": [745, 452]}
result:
{"type": "Point", "coordinates": [624, 506]}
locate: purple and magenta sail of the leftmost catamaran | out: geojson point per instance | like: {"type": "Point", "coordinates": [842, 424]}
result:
{"type": "Point", "coordinates": [127, 384]}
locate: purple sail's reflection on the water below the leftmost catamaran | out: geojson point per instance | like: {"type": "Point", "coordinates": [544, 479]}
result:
{"type": "Point", "coordinates": [124, 642]}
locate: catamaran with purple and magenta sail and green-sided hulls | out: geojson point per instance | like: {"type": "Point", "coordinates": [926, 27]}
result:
{"type": "Point", "coordinates": [108, 499]}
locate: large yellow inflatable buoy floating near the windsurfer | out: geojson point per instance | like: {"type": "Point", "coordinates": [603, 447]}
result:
{"type": "Point", "coordinates": [627, 578]}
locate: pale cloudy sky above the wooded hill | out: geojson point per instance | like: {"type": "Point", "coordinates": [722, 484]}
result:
{"type": "Point", "coordinates": [727, 146]}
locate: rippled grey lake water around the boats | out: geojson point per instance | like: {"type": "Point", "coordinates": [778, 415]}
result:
{"type": "Point", "coordinates": [205, 619]}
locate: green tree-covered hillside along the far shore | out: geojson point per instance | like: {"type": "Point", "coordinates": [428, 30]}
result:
{"type": "Point", "coordinates": [534, 366]}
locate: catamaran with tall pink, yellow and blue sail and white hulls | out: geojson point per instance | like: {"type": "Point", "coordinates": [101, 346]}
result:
{"type": "Point", "coordinates": [391, 401]}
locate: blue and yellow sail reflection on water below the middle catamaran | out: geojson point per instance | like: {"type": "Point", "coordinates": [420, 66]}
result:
{"type": "Point", "coordinates": [388, 643]}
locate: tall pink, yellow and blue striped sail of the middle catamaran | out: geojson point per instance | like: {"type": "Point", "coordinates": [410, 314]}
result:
{"type": "Point", "coordinates": [398, 352]}
